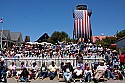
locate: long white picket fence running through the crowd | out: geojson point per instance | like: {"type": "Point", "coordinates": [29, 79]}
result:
{"type": "Point", "coordinates": [28, 61]}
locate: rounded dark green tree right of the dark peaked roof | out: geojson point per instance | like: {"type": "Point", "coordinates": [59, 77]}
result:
{"type": "Point", "coordinates": [59, 36]}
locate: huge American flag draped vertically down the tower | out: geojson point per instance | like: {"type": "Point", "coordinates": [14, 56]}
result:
{"type": "Point", "coordinates": [82, 26]}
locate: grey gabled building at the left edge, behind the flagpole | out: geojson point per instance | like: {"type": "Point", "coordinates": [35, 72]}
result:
{"type": "Point", "coordinates": [8, 38]}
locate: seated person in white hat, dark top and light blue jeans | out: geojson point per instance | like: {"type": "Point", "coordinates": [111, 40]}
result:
{"type": "Point", "coordinates": [68, 70]}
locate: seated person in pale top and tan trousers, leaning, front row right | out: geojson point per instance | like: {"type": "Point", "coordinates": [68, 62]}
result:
{"type": "Point", "coordinates": [100, 71]}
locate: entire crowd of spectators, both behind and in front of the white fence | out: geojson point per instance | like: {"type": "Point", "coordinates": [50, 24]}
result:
{"type": "Point", "coordinates": [112, 65]}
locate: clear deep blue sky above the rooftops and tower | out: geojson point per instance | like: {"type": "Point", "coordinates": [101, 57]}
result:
{"type": "Point", "coordinates": [35, 17]}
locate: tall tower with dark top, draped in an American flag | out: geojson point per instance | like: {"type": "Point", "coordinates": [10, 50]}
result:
{"type": "Point", "coordinates": [82, 25]}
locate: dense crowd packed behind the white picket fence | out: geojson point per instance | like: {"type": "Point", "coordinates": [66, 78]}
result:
{"type": "Point", "coordinates": [49, 50]}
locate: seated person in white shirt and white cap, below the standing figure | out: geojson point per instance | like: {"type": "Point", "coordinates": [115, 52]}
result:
{"type": "Point", "coordinates": [78, 73]}
